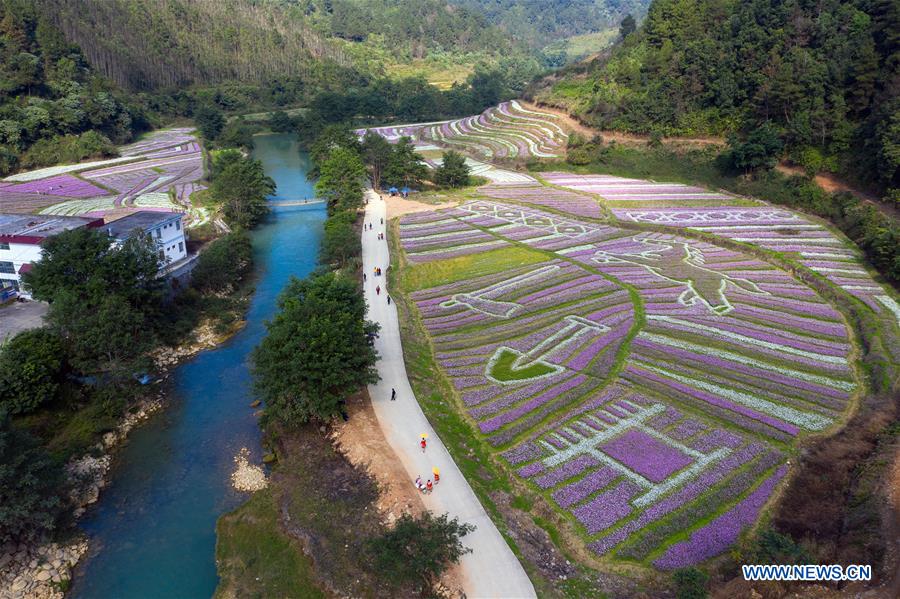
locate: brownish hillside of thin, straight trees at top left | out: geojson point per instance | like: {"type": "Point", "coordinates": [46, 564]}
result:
{"type": "Point", "coordinates": [149, 44]}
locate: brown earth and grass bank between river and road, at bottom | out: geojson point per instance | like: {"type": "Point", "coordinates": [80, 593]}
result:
{"type": "Point", "coordinates": [333, 488]}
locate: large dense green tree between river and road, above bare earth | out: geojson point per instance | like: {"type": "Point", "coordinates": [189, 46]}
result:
{"type": "Point", "coordinates": [317, 351]}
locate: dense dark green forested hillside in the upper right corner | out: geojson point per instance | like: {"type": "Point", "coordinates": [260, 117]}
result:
{"type": "Point", "coordinates": [825, 74]}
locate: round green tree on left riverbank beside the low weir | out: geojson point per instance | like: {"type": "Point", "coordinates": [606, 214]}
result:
{"type": "Point", "coordinates": [242, 188]}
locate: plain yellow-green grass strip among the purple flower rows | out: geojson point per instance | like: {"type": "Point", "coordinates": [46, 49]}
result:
{"type": "Point", "coordinates": [440, 272]}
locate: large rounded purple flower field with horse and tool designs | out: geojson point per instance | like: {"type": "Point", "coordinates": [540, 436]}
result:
{"type": "Point", "coordinates": [648, 385]}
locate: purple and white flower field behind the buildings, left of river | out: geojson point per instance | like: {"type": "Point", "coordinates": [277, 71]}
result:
{"type": "Point", "coordinates": [146, 176]}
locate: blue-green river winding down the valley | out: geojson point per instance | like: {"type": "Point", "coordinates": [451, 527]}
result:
{"type": "Point", "coordinates": [152, 534]}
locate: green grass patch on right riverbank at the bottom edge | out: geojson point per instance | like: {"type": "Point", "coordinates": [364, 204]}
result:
{"type": "Point", "coordinates": [256, 559]}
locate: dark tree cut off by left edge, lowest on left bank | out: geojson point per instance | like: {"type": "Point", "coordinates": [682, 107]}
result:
{"type": "Point", "coordinates": [30, 482]}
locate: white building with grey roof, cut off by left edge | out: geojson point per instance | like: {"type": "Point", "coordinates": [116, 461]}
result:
{"type": "Point", "coordinates": [21, 236]}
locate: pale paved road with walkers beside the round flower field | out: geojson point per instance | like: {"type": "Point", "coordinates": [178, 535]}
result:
{"type": "Point", "coordinates": [491, 570]}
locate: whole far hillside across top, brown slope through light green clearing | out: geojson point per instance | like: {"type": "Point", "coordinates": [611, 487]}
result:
{"type": "Point", "coordinates": [153, 44]}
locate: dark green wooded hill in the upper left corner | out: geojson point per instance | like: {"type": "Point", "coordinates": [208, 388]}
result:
{"type": "Point", "coordinates": [53, 106]}
